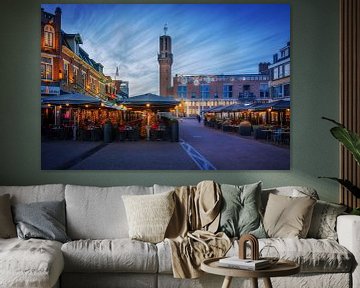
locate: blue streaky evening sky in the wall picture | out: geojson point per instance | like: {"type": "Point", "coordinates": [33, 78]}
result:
{"type": "Point", "coordinates": [206, 38]}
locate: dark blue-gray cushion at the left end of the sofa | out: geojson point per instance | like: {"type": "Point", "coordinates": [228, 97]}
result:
{"type": "Point", "coordinates": [44, 220]}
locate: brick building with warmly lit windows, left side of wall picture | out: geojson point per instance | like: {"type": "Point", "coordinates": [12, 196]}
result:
{"type": "Point", "coordinates": [67, 68]}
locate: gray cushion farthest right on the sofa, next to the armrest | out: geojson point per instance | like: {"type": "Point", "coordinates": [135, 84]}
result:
{"type": "Point", "coordinates": [323, 223]}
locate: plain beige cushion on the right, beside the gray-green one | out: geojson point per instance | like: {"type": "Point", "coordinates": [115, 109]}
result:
{"type": "Point", "coordinates": [287, 216]}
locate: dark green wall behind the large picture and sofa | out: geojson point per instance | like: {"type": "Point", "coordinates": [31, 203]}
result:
{"type": "Point", "coordinates": [315, 71]}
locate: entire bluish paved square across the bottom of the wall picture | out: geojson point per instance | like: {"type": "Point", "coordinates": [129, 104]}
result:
{"type": "Point", "coordinates": [200, 148]}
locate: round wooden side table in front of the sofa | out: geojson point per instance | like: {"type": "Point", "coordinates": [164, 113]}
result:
{"type": "Point", "coordinates": [281, 268]}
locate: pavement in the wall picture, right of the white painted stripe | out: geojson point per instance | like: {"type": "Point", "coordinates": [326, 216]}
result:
{"type": "Point", "coordinates": [229, 151]}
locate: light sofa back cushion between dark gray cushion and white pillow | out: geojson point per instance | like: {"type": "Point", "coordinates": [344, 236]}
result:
{"type": "Point", "coordinates": [98, 213]}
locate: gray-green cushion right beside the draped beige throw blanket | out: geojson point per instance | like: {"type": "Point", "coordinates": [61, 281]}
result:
{"type": "Point", "coordinates": [240, 213]}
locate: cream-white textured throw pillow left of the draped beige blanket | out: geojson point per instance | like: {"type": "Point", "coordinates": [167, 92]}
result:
{"type": "Point", "coordinates": [149, 215]}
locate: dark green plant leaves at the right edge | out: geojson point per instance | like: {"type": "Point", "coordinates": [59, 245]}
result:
{"type": "Point", "coordinates": [351, 141]}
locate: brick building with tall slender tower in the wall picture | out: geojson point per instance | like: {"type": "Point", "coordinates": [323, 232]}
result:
{"type": "Point", "coordinates": [199, 92]}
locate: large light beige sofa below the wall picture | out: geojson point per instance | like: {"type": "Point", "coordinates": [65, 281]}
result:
{"type": "Point", "coordinates": [101, 254]}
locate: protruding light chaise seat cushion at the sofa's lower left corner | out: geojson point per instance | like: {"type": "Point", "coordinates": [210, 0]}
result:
{"type": "Point", "coordinates": [30, 263]}
